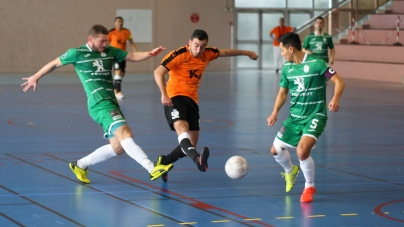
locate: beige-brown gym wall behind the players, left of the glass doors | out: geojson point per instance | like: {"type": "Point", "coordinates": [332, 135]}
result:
{"type": "Point", "coordinates": [34, 32]}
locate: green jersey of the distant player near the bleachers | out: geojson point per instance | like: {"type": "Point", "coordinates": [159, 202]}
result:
{"type": "Point", "coordinates": [319, 44]}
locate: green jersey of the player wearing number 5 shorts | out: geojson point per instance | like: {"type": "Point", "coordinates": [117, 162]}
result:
{"type": "Point", "coordinates": [307, 86]}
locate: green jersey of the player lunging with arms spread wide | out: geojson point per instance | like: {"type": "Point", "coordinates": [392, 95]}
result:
{"type": "Point", "coordinates": [94, 70]}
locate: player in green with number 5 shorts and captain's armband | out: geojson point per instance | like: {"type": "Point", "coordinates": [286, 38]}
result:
{"type": "Point", "coordinates": [305, 76]}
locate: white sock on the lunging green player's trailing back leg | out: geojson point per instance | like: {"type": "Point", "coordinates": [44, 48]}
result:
{"type": "Point", "coordinates": [101, 154]}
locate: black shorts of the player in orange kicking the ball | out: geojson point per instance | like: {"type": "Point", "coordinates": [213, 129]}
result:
{"type": "Point", "coordinates": [184, 108]}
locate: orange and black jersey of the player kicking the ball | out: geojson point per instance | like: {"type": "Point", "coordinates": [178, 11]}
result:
{"type": "Point", "coordinates": [185, 71]}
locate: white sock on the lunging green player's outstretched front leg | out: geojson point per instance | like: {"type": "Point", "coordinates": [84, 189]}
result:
{"type": "Point", "coordinates": [135, 152]}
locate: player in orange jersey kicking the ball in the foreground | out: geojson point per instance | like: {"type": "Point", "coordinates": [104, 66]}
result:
{"type": "Point", "coordinates": [179, 96]}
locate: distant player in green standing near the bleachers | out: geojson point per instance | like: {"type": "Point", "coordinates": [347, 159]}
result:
{"type": "Point", "coordinates": [318, 42]}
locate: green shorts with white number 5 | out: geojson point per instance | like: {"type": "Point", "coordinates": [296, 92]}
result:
{"type": "Point", "coordinates": [291, 132]}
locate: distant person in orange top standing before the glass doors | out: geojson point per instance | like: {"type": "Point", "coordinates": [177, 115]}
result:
{"type": "Point", "coordinates": [275, 33]}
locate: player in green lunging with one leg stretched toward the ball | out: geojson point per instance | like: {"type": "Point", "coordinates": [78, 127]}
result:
{"type": "Point", "coordinates": [93, 63]}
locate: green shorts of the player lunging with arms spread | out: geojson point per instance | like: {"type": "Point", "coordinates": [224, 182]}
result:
{"type": "Point", "coordinates": [107, 114]}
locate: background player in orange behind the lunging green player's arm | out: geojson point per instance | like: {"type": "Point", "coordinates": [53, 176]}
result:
{"type": "Point", "coordinates": [118, 36]}
